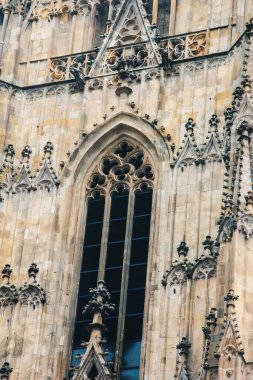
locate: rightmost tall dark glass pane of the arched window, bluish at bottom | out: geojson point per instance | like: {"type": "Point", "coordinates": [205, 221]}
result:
{"type": "Point", "coordinates": [136, 285]}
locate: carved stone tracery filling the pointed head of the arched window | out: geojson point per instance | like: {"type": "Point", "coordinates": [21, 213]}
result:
{"type": "Point", "coordinates": [125, 165]}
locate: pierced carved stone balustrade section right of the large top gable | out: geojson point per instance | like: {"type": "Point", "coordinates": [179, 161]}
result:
{"type": "Point", "coordinates": [193, 45]}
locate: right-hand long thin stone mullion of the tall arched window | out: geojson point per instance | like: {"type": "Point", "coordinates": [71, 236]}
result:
{"type": "Point", "coordinates": [124, 285]}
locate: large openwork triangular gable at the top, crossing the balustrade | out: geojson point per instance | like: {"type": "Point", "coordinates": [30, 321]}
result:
{"type": "Point", "coordinates": [129, 28]}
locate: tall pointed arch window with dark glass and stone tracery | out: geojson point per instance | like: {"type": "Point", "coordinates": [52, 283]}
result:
{"type": "Point", "coordinates": [118, 215]}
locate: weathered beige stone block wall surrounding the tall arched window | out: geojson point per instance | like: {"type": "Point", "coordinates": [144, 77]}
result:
{"type": "Point", "coordinates": [45, 226]}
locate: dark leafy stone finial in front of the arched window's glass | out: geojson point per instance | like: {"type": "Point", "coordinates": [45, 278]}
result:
{"type": "Point", "coordinates": [99, 302]}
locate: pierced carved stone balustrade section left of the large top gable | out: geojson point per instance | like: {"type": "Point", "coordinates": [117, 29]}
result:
{"type": "Point", "coordinates": [61, 68]}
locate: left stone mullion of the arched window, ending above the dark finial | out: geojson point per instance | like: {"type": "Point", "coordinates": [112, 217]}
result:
{"type": "Point", "coordinates": [104, 238]}
